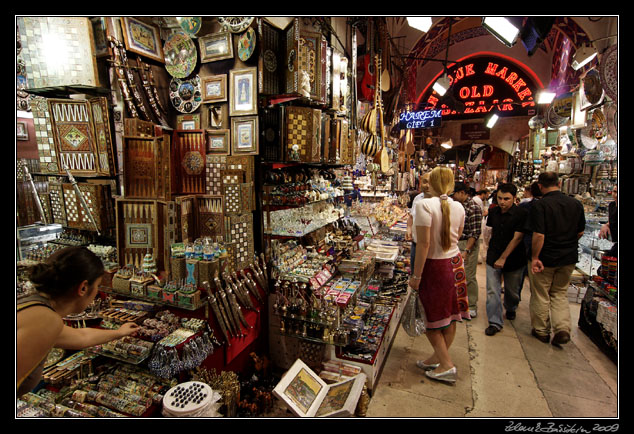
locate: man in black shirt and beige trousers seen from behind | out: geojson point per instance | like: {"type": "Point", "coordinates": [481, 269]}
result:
{"type": "Point", "coordinates": [557, 222]}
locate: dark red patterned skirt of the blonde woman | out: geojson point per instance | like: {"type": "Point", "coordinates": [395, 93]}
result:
{"type": "Point", "coordinates": [443, 292]}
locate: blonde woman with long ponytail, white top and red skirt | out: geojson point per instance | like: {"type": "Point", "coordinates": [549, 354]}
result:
{"type": "Point", "coordinates": [438, 272]}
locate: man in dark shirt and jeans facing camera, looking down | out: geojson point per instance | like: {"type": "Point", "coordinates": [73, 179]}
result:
{"type": "Point", "coordinates": [506, 257]}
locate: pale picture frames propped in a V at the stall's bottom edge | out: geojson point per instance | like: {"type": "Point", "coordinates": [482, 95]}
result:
{"type": "Point", "coordinates": [308, 395]}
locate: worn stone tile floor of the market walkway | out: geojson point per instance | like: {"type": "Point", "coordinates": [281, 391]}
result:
{"type": "Point", "coordinates": [509, 375]}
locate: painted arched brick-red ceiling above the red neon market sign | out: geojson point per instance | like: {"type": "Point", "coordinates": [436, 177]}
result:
{"type": "Point", "coordinates": [550, 62]}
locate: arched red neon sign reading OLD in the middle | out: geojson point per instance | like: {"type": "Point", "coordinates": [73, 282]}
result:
{"type": "Point", "coordinates": [482, 84]}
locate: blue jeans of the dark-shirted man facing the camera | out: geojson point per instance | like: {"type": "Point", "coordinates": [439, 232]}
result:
{"type": "Point", "coordinates": [512, 283]}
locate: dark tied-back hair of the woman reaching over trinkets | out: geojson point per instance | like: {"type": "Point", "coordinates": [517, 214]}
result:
{"type": "Point", "coordinates": [64, 270]}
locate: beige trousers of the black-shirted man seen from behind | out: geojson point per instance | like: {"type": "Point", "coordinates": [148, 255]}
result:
{"type": "Point", "coordinates": [549, 306]}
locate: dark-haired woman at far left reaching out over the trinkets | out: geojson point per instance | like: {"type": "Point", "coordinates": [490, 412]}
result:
{"type": "Point", "coordinates": [66, 283]}
